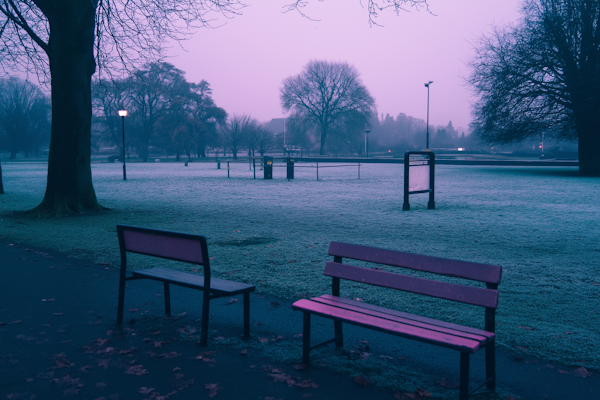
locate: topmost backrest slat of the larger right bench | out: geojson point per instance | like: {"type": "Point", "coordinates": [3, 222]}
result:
{"type": "Point", "coordinates": [460, 269]}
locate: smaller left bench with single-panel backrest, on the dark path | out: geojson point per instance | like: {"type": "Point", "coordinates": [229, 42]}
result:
{"type": "Point", "coordinates": [179, 247]}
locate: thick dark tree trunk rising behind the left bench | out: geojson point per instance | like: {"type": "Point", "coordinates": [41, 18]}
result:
{"type": "Point", "coordinates": [69, 188]}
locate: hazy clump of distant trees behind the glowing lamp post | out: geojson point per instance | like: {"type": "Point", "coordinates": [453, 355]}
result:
{"type": "Point", "coordinates": [170, 115]}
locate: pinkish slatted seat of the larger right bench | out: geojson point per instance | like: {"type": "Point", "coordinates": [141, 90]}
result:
{"type": "Point", "coordinates": [415, 327]}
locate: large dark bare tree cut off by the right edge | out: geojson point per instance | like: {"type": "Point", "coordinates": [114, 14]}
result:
{"type": "Point", "coordinates": [542, 77]}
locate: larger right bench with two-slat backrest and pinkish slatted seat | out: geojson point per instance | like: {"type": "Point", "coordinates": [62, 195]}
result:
{"type": "Point", "coordinates": [465, 339]}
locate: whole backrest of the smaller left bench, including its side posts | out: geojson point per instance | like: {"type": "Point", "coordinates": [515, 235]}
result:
{"type": "Point", "coordinates": [164, 244]}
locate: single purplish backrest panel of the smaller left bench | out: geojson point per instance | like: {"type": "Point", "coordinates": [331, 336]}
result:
{"type": "Point", "coordinates": [171, 245]}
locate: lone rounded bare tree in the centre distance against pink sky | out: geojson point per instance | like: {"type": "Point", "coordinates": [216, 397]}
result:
{"type": "Point", "coordinates": [328, 95]}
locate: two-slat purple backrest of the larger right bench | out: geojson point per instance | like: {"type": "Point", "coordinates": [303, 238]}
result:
{"type": "Point", "coordinates": [490, 274]}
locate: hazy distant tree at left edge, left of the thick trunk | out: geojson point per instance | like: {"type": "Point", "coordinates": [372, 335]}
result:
{"type": "Point", "coordinates": [24, 117]}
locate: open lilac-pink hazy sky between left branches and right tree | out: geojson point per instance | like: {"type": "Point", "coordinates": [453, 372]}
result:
{"type": "Point", "coordinates": [246, 59]}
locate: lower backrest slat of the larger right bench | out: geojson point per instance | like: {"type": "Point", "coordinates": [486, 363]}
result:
{"type": "Point", "coordinates": [448, 291]}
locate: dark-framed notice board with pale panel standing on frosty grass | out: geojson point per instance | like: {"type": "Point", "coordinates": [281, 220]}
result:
{"type": "Point", "coordinates": [419, 174]}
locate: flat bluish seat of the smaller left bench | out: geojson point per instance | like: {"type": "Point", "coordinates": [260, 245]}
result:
{"type": "Point", "coordinates": [193, 281]}
